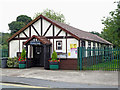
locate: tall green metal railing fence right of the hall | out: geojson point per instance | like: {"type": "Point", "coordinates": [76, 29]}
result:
{"type": "Point", "coordinates": [99, 59]}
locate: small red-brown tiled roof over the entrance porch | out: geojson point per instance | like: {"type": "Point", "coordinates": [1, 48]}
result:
{"type": "Point", "coordinates": [40, 38]}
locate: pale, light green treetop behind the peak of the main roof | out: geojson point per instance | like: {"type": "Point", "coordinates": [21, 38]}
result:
{"type": "Point", "coordinates": [52, 15]}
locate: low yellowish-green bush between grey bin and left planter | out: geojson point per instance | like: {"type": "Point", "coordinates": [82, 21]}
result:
{"type": "Point", "coordinates": [12, 62]}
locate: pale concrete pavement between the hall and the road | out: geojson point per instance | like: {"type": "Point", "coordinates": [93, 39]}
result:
{"type": "Point", "coordinates": [94, 78]}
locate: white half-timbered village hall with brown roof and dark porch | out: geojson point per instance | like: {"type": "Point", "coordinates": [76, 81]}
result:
{"type": "Point", "coordinates": [42, 36]}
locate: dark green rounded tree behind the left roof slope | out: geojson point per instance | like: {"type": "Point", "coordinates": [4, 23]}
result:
{"type": "Point", "coordinates": [20, 22]}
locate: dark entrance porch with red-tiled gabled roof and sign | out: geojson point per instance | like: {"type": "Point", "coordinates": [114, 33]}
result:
{"type": "Point", "coordinates": [43, 54]}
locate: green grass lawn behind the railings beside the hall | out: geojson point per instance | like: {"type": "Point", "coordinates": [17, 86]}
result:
{"type": "Point", "coordinates": [113, 65]}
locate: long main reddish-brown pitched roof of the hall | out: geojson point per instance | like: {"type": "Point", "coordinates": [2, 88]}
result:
{"type": "Point", "coordinates": [77, 33]}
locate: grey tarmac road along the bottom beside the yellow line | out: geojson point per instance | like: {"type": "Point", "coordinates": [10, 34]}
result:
{"type": "Point", "coordinates": [50, 84]}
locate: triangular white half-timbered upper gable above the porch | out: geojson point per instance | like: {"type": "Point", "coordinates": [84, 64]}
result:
{"type": "Point", "coordinates": [40, 27]}
